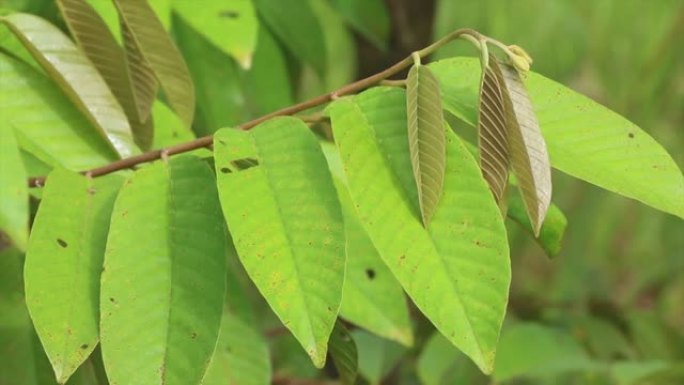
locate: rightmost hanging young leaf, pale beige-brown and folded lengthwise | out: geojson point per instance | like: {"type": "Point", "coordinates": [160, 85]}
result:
{"type": "Point", "coordinates": [528, 154]}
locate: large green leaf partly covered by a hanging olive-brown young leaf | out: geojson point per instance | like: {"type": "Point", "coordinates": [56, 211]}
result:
{"type": "Point", "coordinates": [457, 271]}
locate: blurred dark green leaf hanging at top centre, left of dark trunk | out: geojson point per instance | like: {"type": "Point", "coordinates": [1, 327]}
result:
{"type": "Point", "coordinates": [296, 26]}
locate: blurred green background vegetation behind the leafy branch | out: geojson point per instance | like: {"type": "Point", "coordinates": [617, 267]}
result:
{"type": "Point", "coordinates": [609, 309]}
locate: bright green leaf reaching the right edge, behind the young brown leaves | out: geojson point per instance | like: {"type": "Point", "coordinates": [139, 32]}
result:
{"type": "Point", "coordinates": [584, 139]}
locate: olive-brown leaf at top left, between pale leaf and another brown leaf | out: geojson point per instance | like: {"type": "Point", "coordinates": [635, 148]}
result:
{"type": "Point", "coordinates": [97, 42]}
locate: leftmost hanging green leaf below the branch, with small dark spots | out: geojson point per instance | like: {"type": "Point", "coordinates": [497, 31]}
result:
{"type": "Point", "coordinates": [63, 265]}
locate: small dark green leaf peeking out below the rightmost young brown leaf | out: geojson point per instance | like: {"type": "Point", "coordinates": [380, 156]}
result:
{"type": "Point", "coordinates": [552, 231]}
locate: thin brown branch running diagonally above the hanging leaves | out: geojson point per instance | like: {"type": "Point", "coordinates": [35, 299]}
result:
{"type": "Point", "coordinates": [206, 141]}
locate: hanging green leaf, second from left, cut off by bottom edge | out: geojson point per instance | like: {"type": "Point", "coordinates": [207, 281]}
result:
{"type": "Point", "coordinates": [163, 281]}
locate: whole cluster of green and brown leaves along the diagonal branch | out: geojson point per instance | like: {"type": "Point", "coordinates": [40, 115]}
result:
{"type": "Point", "coordinates": [134, 263]}
